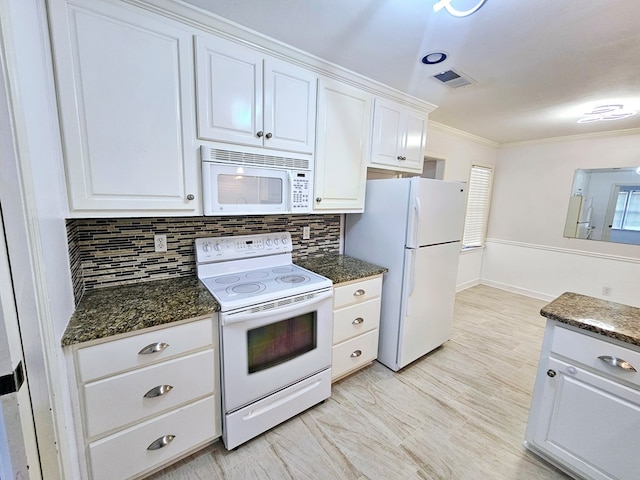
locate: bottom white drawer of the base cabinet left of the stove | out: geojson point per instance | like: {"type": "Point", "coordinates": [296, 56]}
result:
{"type": "Point", "coordinates": [125, 454]}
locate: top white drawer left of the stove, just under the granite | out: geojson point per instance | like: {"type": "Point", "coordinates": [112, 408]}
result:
{"type": "Point", "coordinates": [113, 357]}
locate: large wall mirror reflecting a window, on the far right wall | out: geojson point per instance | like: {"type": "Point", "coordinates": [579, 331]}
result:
{"type": "Point", "coordinates": [605, 205]}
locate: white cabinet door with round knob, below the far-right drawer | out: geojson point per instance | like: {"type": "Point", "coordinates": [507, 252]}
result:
{"type": "Point", "coordinates": [589, 423]}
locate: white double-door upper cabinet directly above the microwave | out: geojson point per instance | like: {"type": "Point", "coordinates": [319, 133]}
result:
{"type": "Point", "coordinates": [246, 97]}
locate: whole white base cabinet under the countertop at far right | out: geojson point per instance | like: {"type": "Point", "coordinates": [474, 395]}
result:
{"type": "Point", "coordinates": [585, 412]}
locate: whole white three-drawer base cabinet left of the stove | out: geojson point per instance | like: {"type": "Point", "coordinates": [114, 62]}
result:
{"type": "Point", "coordinates": [156, 402]}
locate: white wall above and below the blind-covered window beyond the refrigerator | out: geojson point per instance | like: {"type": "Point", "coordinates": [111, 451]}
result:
{"type": "Point", "coordinates": [461, 150]}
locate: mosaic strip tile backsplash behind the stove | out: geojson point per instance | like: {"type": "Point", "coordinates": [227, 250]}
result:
{"type": "Point", "coordinates": [116, 251]}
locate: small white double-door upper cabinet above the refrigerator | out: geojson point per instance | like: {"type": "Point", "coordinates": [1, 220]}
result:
{"type": "Point", "coordinates": [399, 137]}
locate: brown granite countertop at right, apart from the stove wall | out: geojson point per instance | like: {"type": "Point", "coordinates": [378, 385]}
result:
{"type": "Point", "coordinates": [614, 320]}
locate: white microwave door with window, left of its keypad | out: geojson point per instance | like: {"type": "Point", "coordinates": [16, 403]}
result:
{"type": "Point", "coordinates": [243, 189]}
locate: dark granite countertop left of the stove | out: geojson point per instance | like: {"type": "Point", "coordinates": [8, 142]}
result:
{"type": "Point", "coordinates": [112, 310]}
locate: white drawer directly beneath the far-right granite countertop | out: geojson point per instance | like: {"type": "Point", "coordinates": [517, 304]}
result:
{"type": "Point", "coordinates": [593, 352]}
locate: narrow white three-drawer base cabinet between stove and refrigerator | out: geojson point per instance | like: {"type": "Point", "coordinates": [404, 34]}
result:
{"type": "Point", "coordinates": [356, 318]}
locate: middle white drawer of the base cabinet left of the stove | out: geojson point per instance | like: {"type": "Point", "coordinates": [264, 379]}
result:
{"type": "Point", "coordinates": [117, 401]}
